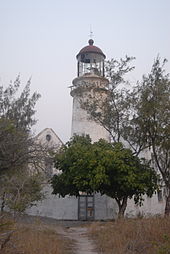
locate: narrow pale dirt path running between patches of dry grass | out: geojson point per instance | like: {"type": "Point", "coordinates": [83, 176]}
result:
{"type": "Point", "coordinates": [82, 244]}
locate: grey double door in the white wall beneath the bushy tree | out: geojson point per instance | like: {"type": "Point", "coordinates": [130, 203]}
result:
{"type": "Point", "coordinates": [86, 207]}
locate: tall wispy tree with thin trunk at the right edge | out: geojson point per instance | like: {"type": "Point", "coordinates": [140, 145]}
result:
{"type": "Point", "coordinates": [151, 117]}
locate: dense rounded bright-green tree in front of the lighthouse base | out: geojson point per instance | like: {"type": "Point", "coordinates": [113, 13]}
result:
{"type": "Point", "coordinates": [103, 167]}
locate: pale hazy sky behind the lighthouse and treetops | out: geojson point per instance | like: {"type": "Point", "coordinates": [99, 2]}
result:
{"type": "Point", "coordinates": [40, 38]}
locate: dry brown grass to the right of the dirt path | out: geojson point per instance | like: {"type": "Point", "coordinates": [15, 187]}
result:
{"type": "Point", "coordinates": [133, 236]}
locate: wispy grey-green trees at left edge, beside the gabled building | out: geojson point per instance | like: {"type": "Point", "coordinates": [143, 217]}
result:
{"type": "Point", "coordinates": [20, 155]}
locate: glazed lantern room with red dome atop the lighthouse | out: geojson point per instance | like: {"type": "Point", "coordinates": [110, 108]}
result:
{"type": "Point", "coordinates": [90, 60]}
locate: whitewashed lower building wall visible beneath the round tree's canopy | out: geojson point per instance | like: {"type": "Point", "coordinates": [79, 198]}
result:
{"type": "Point", "coordinates": [106, 208]}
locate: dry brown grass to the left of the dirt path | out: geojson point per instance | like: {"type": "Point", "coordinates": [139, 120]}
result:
{"type": "Point", "coordinates": [36, 238]}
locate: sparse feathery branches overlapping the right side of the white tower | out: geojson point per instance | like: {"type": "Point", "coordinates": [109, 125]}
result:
{"type": "Point", "coordinates": [111, 111]}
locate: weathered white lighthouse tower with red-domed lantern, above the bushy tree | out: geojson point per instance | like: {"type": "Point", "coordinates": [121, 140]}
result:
{"type": "Point", "coordinates": [90, 82]}
